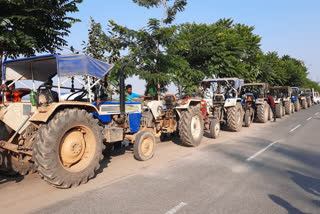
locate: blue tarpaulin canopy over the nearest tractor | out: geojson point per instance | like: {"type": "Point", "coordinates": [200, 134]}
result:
{"type": "Point", "coordinates": [42, 67]}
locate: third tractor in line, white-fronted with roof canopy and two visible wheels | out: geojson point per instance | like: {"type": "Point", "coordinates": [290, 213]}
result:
{"type": "Point", "coordinates": [223, 104]}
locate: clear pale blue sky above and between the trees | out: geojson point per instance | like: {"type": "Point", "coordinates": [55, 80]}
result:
{"type": "Point", "coordinates": [287, 26]}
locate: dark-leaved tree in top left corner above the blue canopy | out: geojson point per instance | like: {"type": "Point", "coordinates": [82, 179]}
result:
{"type": "Point", "coordinates": [30, 26]}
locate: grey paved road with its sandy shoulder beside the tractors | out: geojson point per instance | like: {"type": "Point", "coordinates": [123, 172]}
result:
{"type": "Point", "coordinates": [267, 168]}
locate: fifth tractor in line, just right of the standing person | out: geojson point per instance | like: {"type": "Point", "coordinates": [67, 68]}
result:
{"type": "Point", "coordinates": [282, 95]}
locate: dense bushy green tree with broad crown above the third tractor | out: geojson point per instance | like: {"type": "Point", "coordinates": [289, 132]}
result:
{"type": "Point", "coordinates": [221, 49]}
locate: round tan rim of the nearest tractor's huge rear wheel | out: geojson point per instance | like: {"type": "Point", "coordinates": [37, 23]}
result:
{"type": "Point", "coordinates": [77, 148]}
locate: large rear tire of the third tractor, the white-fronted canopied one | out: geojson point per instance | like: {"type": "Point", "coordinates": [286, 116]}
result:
{"type": "Point", "coordinates": [235, 118]}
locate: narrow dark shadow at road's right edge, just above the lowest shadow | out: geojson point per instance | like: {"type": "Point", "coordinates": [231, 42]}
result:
{"type": "Point", "coordinates": [308, 184]}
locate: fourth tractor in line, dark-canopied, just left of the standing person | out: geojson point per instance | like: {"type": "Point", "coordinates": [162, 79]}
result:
{"type": "Point", "coordinates": [254, 102]}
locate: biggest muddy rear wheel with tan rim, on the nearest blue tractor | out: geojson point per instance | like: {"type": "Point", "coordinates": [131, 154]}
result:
{"type": "Point", "coordinates": [68, 150]}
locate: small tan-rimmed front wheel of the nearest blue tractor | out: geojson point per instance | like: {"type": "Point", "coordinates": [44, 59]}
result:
{"type": "Point", "coordinates": [143, 147]}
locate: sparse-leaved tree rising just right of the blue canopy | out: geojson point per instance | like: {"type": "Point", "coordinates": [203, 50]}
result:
{"type": "Point", "coordinates": [145, 45]}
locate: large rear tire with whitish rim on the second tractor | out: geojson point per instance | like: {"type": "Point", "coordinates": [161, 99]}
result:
{"type": "Point", "coordinates": [191, 126]}
